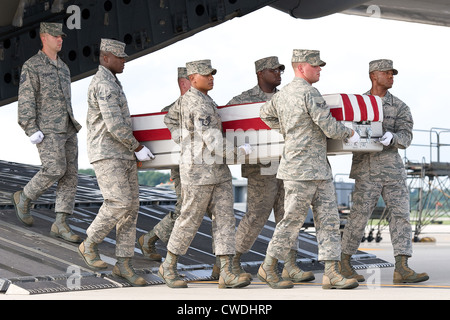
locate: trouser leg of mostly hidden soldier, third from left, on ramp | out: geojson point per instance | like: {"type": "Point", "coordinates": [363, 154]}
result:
{"type": "Point", "coordinates": [164, 228]}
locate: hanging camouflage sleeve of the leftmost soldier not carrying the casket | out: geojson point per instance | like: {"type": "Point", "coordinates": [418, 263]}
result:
{"type": "Point", "coordinates": [28, 89]}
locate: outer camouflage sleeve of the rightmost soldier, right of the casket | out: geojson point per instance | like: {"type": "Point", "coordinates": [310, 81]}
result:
{"type": "Point", "coordinates": [404, 123]}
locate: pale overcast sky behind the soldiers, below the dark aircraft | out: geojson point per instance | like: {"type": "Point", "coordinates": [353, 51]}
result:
{"type": "Point", "coordinates": [347, 44]}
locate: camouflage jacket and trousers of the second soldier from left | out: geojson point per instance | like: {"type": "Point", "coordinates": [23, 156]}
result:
{"type": "Point", "coordinates": [111, 146]}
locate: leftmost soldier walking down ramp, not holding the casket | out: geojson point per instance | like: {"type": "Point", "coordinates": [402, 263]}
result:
{"type": "Point", "coordinates": [45, 114]}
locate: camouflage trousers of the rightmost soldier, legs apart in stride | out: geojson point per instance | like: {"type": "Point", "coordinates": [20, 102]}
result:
{"type": "Point", "coordinates": [365, 197]}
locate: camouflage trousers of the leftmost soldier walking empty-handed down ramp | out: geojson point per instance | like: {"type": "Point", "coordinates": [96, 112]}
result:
{"type": "Point", "coordinates": [59, 156]}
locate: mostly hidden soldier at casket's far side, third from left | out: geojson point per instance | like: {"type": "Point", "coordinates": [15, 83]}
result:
{"type": "Point", "coordinates": [164, 228]}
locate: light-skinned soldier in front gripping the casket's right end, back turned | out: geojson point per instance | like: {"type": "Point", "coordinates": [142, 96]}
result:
{"type": "Point", "coordinates": [303, 118]}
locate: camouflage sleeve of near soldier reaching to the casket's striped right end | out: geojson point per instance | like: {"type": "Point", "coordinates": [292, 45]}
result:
{"type": "Point", "coordinates": [321, 115]}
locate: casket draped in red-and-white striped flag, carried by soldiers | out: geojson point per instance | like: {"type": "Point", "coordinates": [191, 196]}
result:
{"type": "Point", "coordinates": [242, 124]}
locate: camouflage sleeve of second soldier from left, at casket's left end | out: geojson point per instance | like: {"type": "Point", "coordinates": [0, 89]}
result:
{"type": "Point", "coordinates": [109, 104]}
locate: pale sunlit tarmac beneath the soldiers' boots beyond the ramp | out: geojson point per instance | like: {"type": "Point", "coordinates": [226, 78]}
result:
{"type": "Point", "coordinates": [431, 257]}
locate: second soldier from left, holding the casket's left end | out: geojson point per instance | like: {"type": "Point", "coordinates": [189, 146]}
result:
{"type": "Point", "coordinates": [112, 150]}
